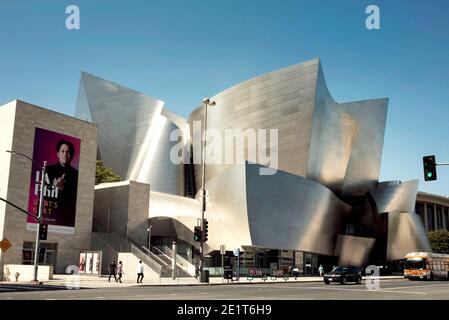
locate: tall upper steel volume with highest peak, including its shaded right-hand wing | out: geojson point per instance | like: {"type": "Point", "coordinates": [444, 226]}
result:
{"type": "Point", "coordinates": [337, 145]}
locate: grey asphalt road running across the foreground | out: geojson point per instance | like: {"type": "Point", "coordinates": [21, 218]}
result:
{"type": "Point", "coordinates": [389, 289]}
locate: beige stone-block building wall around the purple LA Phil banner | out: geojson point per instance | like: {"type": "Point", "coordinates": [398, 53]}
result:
{"type": "Point", "coordinates": [18, 123]}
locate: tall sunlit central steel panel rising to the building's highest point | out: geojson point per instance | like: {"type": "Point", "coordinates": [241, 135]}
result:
{"type": "Point", "coordinates": [283, 100]}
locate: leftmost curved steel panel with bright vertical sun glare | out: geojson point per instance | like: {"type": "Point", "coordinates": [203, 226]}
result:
{"type": "Point", "coordinates": [134, 133]}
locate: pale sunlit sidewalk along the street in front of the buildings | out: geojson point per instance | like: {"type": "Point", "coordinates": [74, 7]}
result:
{"type": "Point", "coordinates": [102, 282]}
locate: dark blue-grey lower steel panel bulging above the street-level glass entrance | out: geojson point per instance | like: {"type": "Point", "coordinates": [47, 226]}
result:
{"type": "Point", "coordinates": [292, 213]}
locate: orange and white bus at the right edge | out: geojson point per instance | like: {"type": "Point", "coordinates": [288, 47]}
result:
{"type": "Point", "coordinates": [426, 265]}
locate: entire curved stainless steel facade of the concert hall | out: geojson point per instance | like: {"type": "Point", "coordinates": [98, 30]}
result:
{"type": "Point", "coordinates": [324, 198]}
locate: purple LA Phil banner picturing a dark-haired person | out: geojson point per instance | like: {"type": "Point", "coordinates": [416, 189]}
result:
{"type": "Point", "coordinates": [62, 154]}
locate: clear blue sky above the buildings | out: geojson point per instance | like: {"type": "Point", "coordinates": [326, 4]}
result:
{"type": "Point", "coordinates": [181, 51]}
